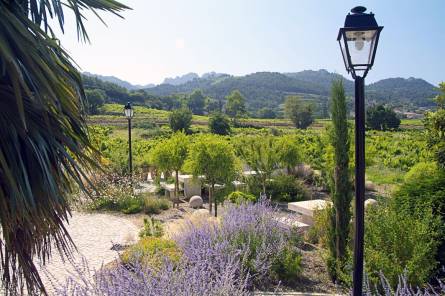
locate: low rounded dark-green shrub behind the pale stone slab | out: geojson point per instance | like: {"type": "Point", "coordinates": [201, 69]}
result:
{"type": "Point", "coordinates": [287, 188]}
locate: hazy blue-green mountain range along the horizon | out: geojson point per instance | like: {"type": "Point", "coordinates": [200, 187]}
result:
{"type": "Point", "coordinates": [269, 89]}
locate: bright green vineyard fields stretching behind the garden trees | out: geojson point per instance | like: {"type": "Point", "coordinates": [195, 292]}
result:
{"type": "Point", "coordinates": [389, 154]}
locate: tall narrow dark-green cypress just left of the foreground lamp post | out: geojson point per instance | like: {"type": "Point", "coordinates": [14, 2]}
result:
{"type": "Point", "coordinates": [341, 185]}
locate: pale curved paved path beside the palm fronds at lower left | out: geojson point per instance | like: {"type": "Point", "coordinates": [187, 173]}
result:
{"type": "Point", "coordinates": [94, 235]}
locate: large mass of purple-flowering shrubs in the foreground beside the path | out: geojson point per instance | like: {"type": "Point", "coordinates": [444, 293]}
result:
{"type": "Point", "coordinates": [249, 248]}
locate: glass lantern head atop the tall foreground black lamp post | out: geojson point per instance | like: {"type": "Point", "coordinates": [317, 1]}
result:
{"type": "Point", "coordinates": [358, 41]}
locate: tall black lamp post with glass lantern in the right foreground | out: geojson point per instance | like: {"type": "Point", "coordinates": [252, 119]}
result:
{"type": "Point", "coordinates": [358, 41]}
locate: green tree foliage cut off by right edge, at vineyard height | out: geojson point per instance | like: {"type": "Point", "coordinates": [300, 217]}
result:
{"type": "Point", "coordinates": [435, 133]}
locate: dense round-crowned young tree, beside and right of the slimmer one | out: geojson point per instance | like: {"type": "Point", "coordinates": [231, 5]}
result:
{"type": "Point", "coordinates": [212, 157]}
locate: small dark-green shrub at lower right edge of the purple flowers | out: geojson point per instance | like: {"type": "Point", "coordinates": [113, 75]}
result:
{"type": "Point", "coordinates": [287, 266]}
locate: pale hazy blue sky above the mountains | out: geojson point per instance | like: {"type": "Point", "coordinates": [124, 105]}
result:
{"type": "Point", "coordinates": [165, 38]}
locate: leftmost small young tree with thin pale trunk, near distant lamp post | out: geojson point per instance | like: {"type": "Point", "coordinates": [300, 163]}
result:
{"type": "Point", "coordinates": [170, 155]}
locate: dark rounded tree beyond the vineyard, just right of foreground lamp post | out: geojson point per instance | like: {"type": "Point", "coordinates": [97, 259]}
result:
{"type": "Point", "coordinates": [381, 118]}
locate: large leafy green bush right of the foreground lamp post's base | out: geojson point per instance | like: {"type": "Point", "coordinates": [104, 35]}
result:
{"type": "Point", "coordinates": [397, 241]}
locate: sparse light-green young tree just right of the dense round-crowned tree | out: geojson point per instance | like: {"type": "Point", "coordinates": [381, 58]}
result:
{"type": "Point", "coordinates": [261, 155]}
